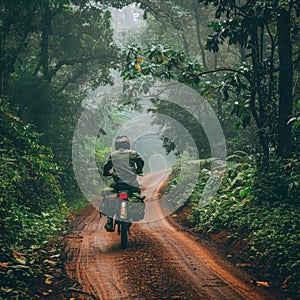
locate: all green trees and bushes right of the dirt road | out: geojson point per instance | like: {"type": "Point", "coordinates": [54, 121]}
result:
{"type": "Point", "coordinates": [258, 201]}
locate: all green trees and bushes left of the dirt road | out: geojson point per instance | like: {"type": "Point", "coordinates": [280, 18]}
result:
{"type": "Point", "coordinates": [50, 56]}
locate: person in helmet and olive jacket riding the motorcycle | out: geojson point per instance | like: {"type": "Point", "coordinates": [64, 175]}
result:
{"type": "Point", "coordinates": [124, 165]}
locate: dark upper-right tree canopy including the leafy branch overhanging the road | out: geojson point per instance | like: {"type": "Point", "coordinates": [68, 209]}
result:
{"type": "Point", "coordinates": [261, 86]}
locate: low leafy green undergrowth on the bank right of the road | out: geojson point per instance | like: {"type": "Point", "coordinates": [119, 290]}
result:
{"type": "Point", "coordinates": [258, 204]}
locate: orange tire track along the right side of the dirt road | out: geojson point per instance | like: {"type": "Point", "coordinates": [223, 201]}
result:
{"type": "Point", "coordinates": [206, 271]}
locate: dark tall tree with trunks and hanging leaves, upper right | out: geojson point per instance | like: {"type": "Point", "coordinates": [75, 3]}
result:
{"type": "Point", "coordinates": [250, 24]}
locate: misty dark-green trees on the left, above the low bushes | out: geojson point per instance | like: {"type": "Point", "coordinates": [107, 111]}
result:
{"type": "Point", "coordinates": [51, 53]}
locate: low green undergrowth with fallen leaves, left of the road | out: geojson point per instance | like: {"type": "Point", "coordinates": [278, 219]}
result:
{"type": "Point", "coordinates": [33, 211]}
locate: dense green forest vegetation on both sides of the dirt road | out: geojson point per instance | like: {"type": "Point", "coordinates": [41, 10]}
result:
{"type": "Point", "coordinates": [242, 57]}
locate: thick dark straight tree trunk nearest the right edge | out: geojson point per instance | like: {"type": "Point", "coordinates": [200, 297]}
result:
{"type": "Point", "coordinates": [284, 146]}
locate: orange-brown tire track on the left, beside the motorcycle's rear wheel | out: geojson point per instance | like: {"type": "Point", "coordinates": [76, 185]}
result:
{"type": "Point", "coordinates": [90, 259]}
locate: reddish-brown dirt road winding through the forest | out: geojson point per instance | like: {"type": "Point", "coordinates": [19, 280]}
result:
{"type": "Point", "coordinates": [161, 262]}
